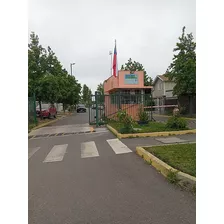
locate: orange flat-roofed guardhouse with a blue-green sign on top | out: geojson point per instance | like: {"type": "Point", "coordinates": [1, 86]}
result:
{"type": "Point", "coordinates": [126, 92]}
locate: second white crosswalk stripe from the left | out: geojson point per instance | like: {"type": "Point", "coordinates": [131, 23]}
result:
{"type": "Point", "coordinates": [56, 154]}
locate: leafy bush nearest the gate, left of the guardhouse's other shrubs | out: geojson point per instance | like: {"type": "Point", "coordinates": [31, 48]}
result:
{"type": "Point", "coordinates": [126, 120]}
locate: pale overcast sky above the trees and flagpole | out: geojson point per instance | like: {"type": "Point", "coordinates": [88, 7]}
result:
{"type": "Point", "coordinates": [83, 31]}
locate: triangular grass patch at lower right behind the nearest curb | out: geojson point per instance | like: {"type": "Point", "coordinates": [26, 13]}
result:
{"type": "Point", "coordinates": [181, 156]}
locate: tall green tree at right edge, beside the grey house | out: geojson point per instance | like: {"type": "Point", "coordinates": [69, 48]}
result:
{"type": "Point", "coordinates": [183, 68]}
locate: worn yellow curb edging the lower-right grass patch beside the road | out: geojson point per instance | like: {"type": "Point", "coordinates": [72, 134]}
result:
{"type": "Point", "coordinates": [185, 180]}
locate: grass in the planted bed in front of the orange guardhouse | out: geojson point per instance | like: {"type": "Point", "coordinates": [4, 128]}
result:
{"type": "Point", "coordinates": [151, 127]}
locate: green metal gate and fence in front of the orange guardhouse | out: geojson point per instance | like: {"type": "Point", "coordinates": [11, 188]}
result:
{"type": "Point", "coordinates": [104, 108]}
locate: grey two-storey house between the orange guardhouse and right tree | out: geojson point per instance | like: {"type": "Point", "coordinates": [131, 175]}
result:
{"type": "Point", "coordinates": [163, 93]}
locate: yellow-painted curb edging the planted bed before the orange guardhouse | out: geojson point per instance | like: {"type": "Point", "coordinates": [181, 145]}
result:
{"type": "Point", "coordinates": [150, 134]}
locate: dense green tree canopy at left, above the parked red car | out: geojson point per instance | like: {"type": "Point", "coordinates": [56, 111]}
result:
{"type": "Point", "coordinates": [47, 78]}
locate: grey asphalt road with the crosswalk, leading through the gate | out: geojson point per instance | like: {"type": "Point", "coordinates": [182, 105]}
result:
{"type": "Point", "coordinates": [82, 179]}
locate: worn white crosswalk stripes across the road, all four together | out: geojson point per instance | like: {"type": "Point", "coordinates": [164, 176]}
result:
{"type": "Point", "coordinates": [86, 149]}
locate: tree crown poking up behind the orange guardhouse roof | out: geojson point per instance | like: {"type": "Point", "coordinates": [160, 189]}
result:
{"type": "Point", "coordinates": [133, 66]}
